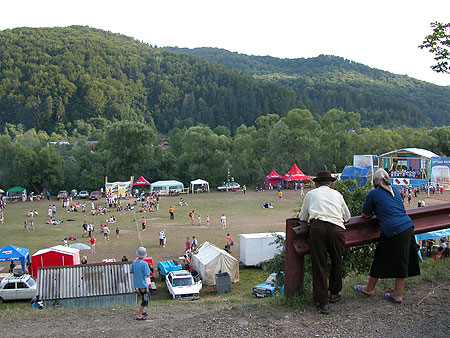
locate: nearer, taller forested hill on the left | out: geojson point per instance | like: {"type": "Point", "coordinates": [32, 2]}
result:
{"type": "Point", "coordinates": [58, 79]}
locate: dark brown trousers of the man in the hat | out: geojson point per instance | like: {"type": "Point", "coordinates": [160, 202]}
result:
{"type": "Point", "coordinates": [326, 238]}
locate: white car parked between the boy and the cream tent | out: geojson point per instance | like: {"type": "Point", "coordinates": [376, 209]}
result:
{"type": "Point", "coordinates": [182, 285]}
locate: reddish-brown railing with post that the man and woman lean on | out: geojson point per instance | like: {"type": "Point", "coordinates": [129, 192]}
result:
{"type": "Point", "coordinates": [359, 231]}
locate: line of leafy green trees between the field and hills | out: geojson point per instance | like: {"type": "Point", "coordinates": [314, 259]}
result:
{"type": "Point", "coordinates": [32, 158]}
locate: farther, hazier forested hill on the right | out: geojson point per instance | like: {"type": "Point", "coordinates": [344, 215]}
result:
{"type": "Point", "coordinates": [327, 82]}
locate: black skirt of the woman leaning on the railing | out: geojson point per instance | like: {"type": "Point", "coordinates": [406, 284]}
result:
{"type": "Point", "coordinates": [396, 256]}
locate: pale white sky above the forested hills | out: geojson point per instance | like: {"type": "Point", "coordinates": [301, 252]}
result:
{"type": "Point", "coordinates": [380, 34]}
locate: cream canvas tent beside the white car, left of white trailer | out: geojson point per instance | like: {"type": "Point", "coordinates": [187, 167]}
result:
{"type": "Point", "coordinates": [209, 260]}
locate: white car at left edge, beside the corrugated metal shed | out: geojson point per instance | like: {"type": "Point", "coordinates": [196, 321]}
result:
{"type": "Point", "coordinates": [17, 287]}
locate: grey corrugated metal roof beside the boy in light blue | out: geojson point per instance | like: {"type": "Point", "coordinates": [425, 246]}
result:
{"type": "Point", "coordinates": [84, 280]}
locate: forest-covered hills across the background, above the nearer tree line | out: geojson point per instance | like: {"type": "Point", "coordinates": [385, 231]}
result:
{"type": "Point", "coordinates": [53, 79]}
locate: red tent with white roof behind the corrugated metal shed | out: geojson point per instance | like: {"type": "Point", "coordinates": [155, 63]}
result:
{"type": "Point", "coordinates": [54, 256]}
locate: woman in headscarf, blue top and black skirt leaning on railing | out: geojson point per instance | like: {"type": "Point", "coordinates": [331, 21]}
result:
{"type": "Point", "coordinates": [396, 253]}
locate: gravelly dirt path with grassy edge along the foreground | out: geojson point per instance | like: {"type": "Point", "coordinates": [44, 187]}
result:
{"type": "Point", "coordinates": [425, 313]}
